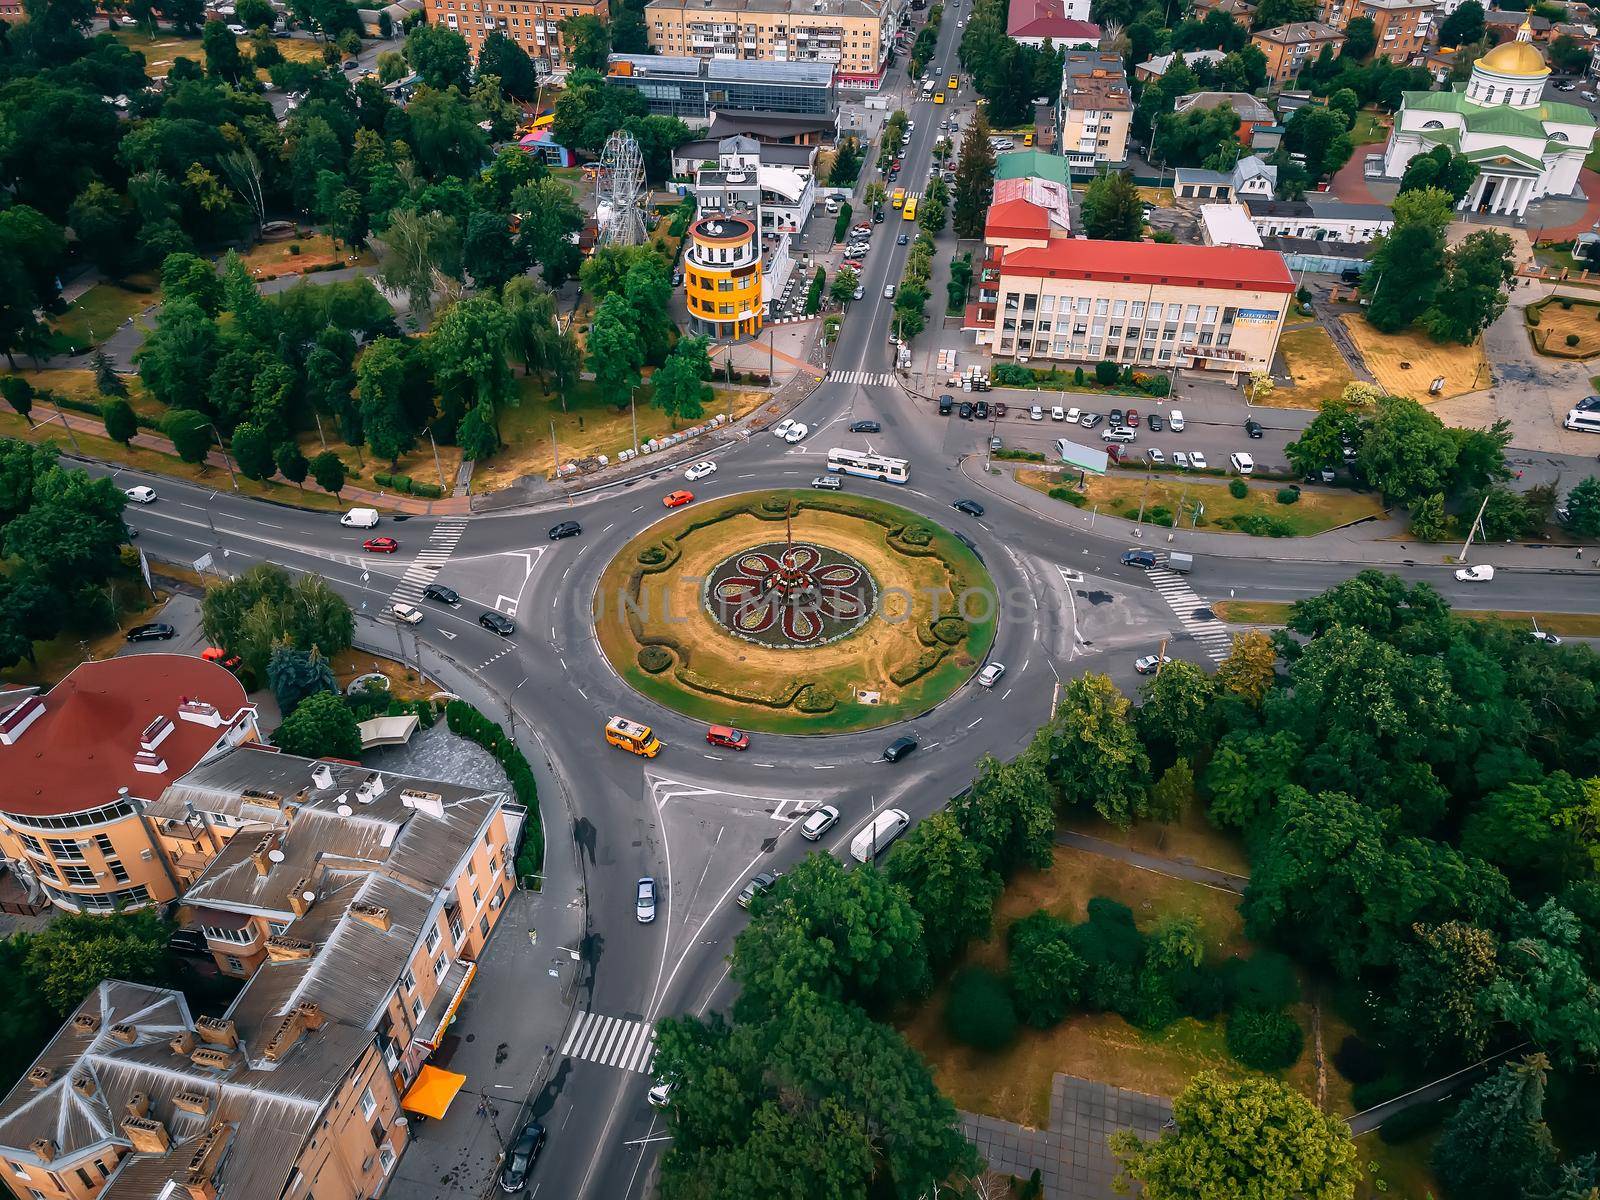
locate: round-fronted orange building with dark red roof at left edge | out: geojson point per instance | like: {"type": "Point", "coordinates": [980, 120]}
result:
{"type": "Point", "coordinates": [89, 758]}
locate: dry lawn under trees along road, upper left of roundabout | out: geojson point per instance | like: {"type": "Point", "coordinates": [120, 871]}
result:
{"type": "Point", "coordinates": [586, 428]}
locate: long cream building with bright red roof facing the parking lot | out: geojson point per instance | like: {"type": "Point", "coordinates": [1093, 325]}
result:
{"type": "Point", "coordinates": [1145, 305]}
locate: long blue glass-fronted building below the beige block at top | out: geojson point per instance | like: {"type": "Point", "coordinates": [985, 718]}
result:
{"type": "Point", "coordinates": [695, 89]}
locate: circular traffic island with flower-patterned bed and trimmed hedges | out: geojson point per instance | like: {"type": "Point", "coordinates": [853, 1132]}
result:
{"type": "Point", "coordinates": [796, 612]}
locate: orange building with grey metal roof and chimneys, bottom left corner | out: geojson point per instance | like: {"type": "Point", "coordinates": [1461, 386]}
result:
{"type": "Point", "coordinates": [138, 1100]}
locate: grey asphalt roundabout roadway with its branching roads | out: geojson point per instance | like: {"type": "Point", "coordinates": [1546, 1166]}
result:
{"type": "Point", "coordinates": [702, 820]}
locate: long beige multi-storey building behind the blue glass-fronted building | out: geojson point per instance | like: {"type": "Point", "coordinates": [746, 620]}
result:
{"type": "Point", "coordinates": [850, 36]}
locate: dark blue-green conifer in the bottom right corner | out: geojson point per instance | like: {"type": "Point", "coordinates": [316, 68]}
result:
{"type": "Point", "coordinates": [1497, 1145]}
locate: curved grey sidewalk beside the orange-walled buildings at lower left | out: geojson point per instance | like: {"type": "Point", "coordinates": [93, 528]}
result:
{"type": "Point", "coordinates": [521, 1001]}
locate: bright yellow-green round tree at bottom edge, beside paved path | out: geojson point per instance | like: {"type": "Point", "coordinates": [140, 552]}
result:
{"type": "Point", "coordinates": [1252, 1137]}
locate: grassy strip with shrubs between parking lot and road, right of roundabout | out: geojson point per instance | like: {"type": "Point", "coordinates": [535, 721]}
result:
{"type": "Point", "coordinates": [1258, 513]}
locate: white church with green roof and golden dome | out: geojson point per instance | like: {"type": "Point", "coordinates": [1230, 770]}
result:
{"type": "Point", "coordinates": [1524, 145]}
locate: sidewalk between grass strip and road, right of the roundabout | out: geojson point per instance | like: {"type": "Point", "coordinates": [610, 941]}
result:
{"type": "Point", "coordinates": [1338, 546]}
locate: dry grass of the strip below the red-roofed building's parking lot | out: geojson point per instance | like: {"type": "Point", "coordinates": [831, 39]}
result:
{"type": "Point", "coordinates": [1316, 511]}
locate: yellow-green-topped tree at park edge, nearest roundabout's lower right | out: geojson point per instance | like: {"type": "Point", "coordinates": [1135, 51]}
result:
{"type": "Point", "coordinates": [1092, 753]}
